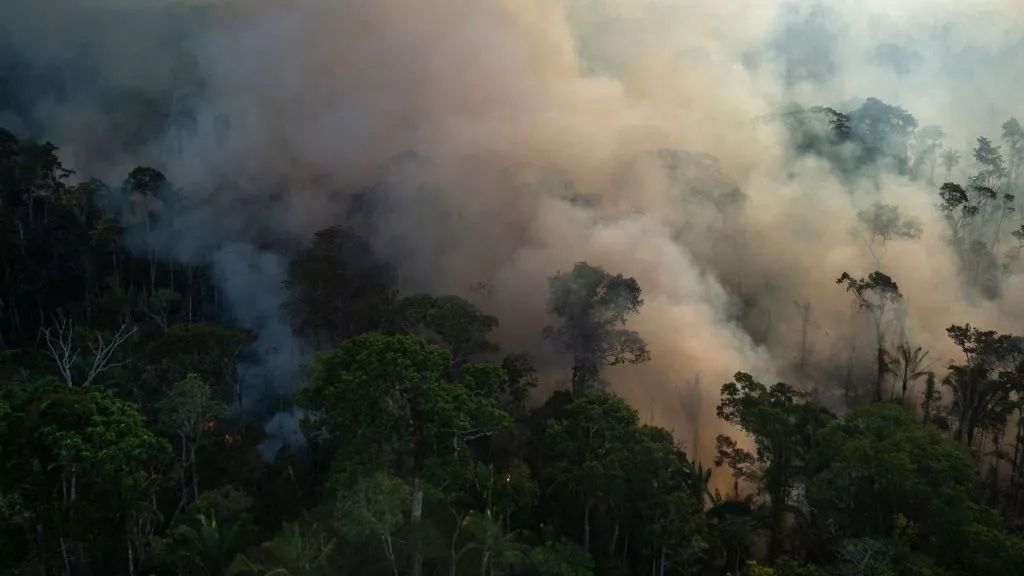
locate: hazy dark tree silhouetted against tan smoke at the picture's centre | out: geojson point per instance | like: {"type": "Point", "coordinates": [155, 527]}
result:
{"type": "Point", "coordinates": [593, 307]}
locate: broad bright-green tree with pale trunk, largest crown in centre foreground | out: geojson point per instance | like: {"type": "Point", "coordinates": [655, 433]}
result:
{"type": "Point", "coordinates": [389, 399]}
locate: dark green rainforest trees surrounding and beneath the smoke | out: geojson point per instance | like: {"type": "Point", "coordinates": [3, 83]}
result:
{"type": "Point", "coordinates": [129, 444]}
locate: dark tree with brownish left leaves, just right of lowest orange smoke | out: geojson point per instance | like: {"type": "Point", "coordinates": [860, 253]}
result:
{"type": "Point", "coordinates": [782, 425]}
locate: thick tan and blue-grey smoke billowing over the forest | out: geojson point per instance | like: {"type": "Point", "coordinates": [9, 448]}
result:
{"type": "Point", "coordinates": [501, 142]}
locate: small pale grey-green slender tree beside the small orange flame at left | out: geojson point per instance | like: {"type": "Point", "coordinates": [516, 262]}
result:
{"type": "Point", "coordinates": [188, 413]}
